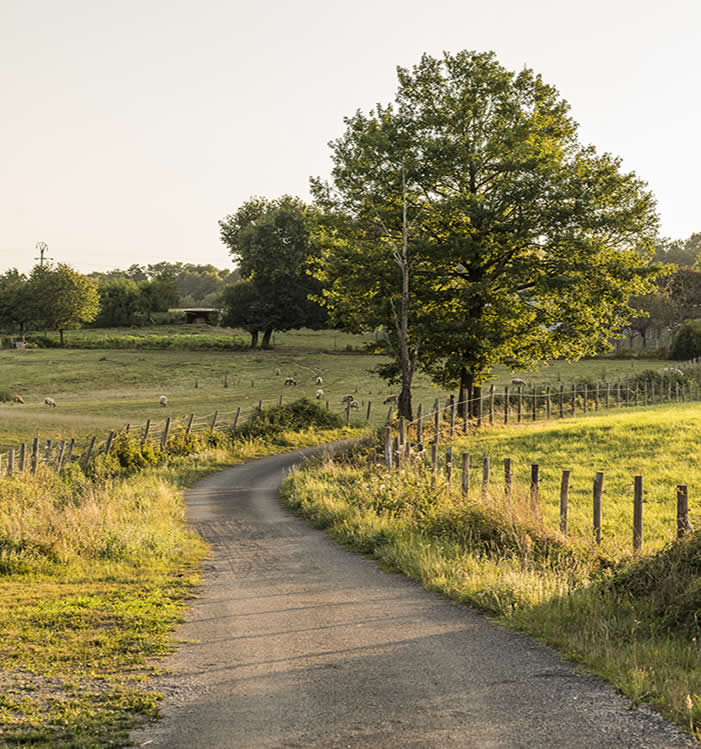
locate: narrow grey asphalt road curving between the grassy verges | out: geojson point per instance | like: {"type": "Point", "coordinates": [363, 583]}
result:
{"type": "Point", "coordinates": [294, 642]}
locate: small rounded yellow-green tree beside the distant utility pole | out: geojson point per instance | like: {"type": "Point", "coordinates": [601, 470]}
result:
{"type": "Point", "coordinates": [63, 298]}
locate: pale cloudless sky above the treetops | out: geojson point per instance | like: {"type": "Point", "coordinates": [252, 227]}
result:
{"type": "Point", "coordinates": [129, 128]}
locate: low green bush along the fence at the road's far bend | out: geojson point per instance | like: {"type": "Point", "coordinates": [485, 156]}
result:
{"type": "Point", "coordinates": [297, 416]}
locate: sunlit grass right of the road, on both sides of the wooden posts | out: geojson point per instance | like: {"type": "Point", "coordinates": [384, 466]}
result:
{"type": "Point", "coordinates": [634, 620]}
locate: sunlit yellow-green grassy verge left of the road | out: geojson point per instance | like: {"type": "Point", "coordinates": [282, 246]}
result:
{"type": "Point", "coordinates": [94, 573]}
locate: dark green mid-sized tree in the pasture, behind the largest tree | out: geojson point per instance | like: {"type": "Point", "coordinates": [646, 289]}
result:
{"type": "Point", "coordinates": [270, 241]}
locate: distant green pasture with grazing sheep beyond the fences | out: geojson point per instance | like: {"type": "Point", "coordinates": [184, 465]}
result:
{"type": "Point", "coordinates": [101, 389]}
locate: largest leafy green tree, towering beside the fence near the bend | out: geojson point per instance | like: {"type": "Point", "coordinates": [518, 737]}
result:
{"type": "Point", "coordinates": [522, 243]}
